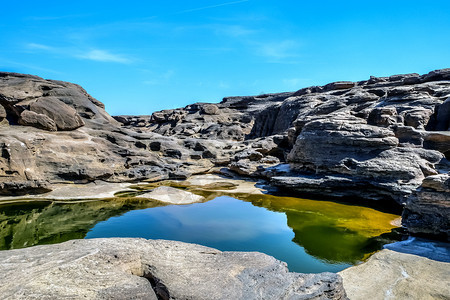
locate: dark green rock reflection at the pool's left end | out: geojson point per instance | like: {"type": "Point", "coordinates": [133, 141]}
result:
{"type": "Point", "coordinates": [24, 225]}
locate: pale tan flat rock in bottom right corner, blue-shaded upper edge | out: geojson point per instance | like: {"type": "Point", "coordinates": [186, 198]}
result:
{"type": "Point", "coordinates": [394, 274]}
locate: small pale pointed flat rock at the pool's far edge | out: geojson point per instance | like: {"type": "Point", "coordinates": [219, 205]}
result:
{"type": "Point", "coordinates": [172, 195]}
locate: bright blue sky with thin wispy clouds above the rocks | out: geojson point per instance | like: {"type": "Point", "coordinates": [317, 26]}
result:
{"type": "Point", "coordinates": [141, 56]}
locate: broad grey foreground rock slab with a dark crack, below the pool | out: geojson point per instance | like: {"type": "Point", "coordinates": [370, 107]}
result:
{"type": "Point", "coordinates": [141, 269]}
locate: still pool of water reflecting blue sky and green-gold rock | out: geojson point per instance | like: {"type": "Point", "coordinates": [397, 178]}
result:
{"type": "Point", "coordinates": [311, 236]}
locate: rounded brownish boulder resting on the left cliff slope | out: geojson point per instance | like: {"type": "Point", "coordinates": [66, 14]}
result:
{"type": "Point", "coordinates": [64, 116]}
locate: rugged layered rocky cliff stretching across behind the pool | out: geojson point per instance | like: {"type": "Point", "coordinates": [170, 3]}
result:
{"type": "Point", "coordinates": [382, 138]}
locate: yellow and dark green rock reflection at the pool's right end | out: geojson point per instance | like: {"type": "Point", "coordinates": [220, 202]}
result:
{"type": "Point", "coordinates": [333, 232]}
